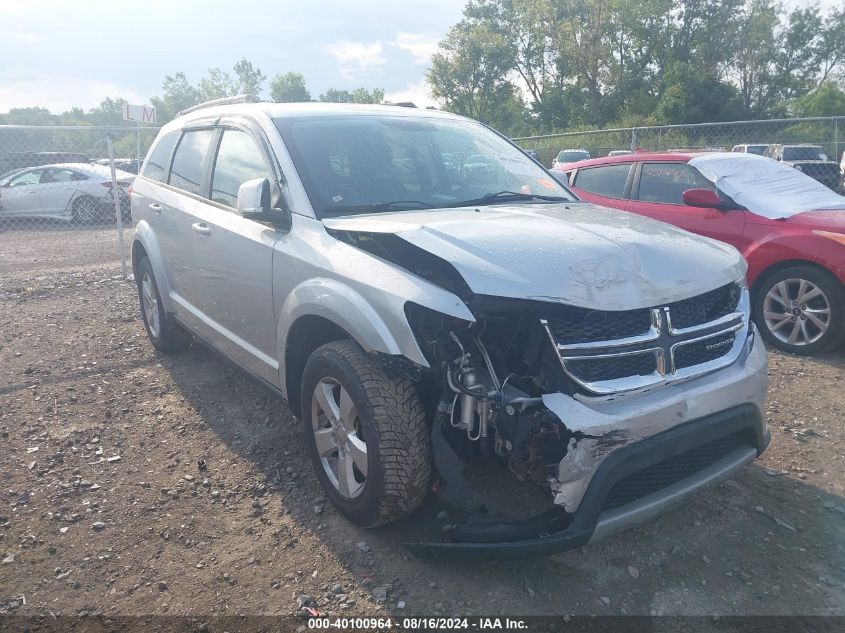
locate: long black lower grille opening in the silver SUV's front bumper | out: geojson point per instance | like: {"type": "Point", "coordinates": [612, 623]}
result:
{"type": "Point", "coordinates": [670, 471]}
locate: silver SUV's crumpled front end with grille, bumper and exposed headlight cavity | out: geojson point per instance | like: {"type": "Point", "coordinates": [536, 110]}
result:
{"type": "Point", "coordinates": [614, 414]}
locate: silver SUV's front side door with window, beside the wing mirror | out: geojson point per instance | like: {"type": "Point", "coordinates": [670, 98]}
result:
{"type": "Point", "coordinates": [232, 257]}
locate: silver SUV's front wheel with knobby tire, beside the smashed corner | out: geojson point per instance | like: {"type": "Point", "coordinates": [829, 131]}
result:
{"type": "Point", "coordinates": [384, 414]}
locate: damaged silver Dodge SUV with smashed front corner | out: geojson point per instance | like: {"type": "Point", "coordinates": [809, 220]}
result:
{"type": "Point", "coordinates": [442, 315]}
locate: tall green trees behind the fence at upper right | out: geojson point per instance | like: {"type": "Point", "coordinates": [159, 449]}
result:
{"type": "Point", "coordinates": [599, 62]}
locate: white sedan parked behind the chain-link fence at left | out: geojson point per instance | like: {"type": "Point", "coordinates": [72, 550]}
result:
{"type": "Point", "coordinates": [77, 192]}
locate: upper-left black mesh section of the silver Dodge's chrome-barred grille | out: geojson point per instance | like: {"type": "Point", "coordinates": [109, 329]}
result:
{"type": "Point", "coordinates": [575, 325]}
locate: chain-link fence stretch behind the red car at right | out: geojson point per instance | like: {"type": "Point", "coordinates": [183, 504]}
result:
{"type": "Point", "coordinates": [816, 144]}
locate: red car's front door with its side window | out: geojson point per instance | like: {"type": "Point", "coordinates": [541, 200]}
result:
{"type": "Point", "coordinates": [657, 192]}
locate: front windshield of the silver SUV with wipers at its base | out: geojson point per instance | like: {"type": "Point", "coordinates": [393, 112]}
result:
{"type": "Point", "coordinates": [372, 163]}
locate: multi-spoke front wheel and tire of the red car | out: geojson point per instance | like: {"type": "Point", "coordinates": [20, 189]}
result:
{"type": "Point", "coordinates": [800, 309]}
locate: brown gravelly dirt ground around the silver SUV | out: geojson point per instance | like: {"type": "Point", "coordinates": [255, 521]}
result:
{"type": "Point", "coordinates": [135, 483]}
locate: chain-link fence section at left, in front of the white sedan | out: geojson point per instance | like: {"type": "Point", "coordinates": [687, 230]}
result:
{"type": "Point", "coordinates": [63, 211]}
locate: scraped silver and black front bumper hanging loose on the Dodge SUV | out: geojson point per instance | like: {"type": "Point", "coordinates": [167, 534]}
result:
{"type": "Point", "coordinates": [623, 441]}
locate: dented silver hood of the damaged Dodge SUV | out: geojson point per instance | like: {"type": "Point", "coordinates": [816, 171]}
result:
{"type": "Point", "coordinates": [574, 253]}
